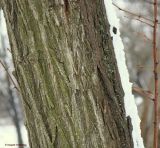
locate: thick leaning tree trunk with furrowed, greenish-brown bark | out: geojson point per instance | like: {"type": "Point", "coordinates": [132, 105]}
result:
{"type": "Point", "coordinates": [67, 72]}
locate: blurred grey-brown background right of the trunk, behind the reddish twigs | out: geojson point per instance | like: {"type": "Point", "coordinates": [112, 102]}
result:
{"type": "Point", "coordinates": [137, 38]}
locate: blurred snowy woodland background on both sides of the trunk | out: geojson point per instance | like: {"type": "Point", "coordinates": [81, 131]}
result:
{"type": "Point", "coordinates": [137, 38]}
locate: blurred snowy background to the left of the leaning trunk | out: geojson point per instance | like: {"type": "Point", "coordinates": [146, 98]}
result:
{"type": "Point", "coordinates": [12, 129]}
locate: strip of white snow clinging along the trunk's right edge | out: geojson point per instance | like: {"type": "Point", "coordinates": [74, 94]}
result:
{"type": "Point", "coordinates": [130, 106]}
